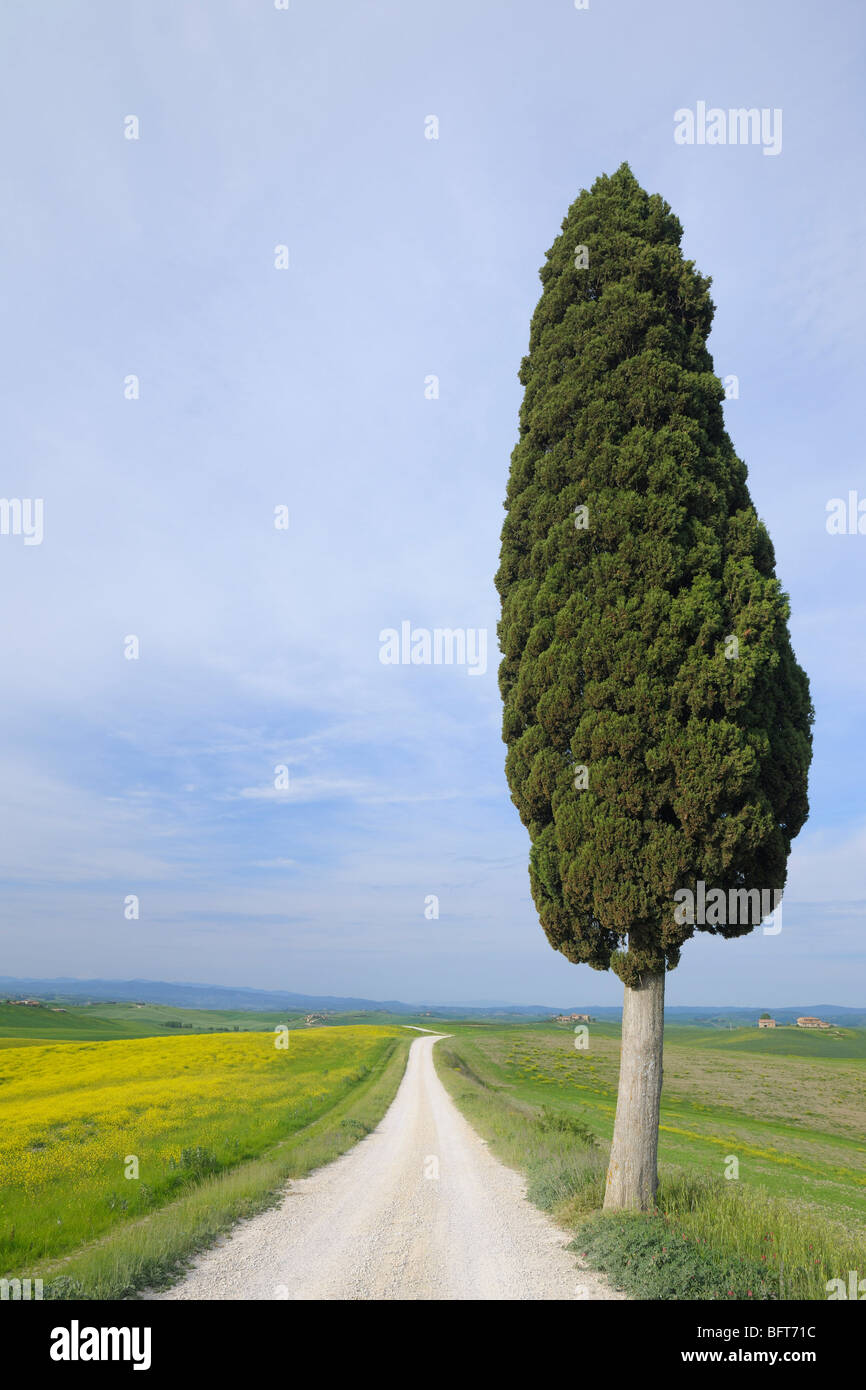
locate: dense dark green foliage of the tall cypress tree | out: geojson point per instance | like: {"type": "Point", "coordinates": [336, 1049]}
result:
{"type": "Point", "coordinates": [615, 637]}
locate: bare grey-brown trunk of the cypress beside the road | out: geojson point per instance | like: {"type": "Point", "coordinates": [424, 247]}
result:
{"type": "Point", "coordinates": [633, 1175]}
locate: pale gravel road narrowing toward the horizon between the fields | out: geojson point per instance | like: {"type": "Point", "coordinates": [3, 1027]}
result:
{"type": "Point", "coordinates": [380, 1224]}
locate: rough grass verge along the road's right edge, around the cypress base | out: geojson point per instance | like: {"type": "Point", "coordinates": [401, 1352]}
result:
{"type": "Point", "coordinates": [708, 1239]}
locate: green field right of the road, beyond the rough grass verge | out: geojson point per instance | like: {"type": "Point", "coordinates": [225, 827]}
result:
{"type": "Point", "coordinates": [796, 1121]}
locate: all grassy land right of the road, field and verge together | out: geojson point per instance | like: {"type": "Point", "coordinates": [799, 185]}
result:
{"type": "Point", "coordinates": [790, 1107]}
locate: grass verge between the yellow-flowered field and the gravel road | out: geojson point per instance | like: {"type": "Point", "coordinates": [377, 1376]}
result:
{"type": "Point", "coordinates": [154, 1252]}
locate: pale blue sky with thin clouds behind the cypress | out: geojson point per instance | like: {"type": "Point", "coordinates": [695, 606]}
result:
{"type": "Point", "coordinates": [305, 387]}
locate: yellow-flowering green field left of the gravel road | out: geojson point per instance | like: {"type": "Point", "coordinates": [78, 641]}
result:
{"type": "Point", "coordinates": [94, 1134]}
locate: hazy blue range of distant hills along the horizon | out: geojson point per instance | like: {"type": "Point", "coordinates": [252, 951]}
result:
{"type": "Point", "coordinates": [226, 997]}
